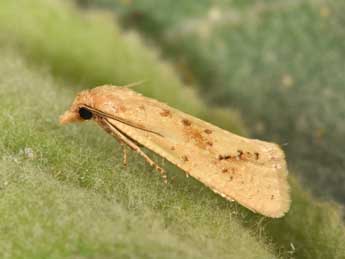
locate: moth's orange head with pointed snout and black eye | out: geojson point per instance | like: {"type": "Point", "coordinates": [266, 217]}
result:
{"type": "Point", "coordinates": [78, 111]}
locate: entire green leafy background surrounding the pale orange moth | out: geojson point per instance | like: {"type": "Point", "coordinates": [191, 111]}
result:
{"type": "Point", "coordinates": [267, 69]}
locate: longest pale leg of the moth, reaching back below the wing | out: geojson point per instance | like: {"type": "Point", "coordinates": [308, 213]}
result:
{"type": "Point", "coordinates": [119, 135]}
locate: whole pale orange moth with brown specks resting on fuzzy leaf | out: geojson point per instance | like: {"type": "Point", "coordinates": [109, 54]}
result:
{"type": "Point", "coordinates": [249, 171]}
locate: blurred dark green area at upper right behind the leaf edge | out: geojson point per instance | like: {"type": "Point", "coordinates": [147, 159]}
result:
{"type": "Point", "coordinates": [282, 63]}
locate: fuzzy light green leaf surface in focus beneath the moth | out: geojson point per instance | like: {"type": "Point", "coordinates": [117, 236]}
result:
{"type": "Point", "coordinates": [68, 195]}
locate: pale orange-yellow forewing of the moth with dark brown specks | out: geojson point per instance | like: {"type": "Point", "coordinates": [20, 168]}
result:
{"type": "Point", "coordinates": [252, 172]}
